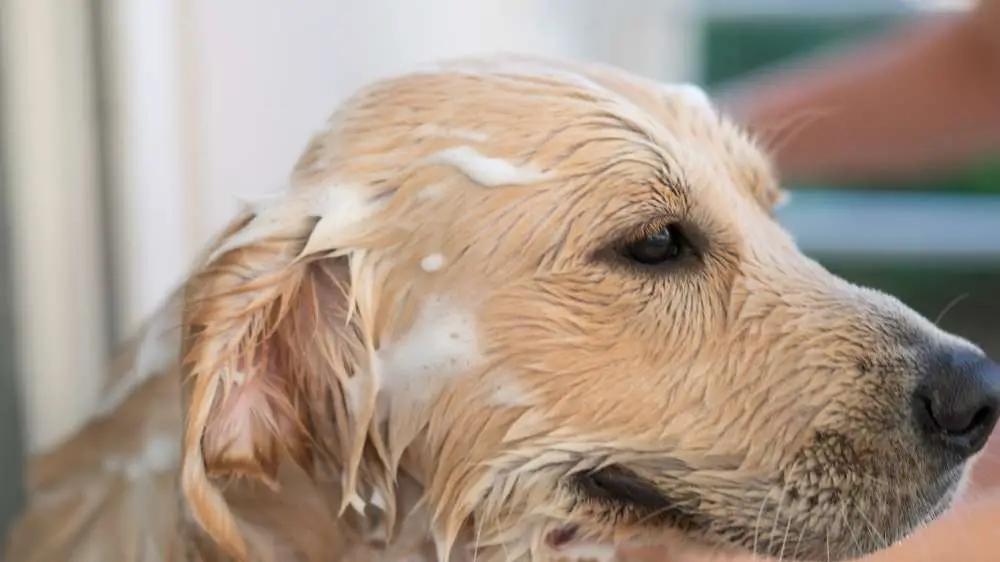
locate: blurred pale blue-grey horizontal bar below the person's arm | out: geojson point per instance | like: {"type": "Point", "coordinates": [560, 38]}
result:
{"type": "Point", "coordinates": [895, 226]}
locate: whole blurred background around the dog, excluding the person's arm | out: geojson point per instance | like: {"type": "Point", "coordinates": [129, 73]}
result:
{"type": "Point", "coordinates": [130, 129]}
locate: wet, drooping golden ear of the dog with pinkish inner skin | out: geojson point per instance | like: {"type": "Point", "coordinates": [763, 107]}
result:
{"type": "Point", "coordinates": [276, 351]}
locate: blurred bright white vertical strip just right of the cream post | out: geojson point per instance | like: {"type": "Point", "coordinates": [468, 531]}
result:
{"type": "Point", "coordinates": [152, 146]}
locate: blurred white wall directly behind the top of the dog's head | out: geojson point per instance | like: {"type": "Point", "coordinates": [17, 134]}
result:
{"type": "Point", "coordinates": [219, 97]}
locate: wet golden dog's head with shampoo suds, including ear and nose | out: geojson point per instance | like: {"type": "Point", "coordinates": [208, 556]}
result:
{"type": "Point", "coordinates": [556, 298]}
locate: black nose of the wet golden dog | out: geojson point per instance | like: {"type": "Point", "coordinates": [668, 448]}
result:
{"type": "Point", "coordinates": [958, 402]}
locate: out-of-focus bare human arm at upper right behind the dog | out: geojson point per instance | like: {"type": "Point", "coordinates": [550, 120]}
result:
{"type": "Point", "coordinates": [919, 98]}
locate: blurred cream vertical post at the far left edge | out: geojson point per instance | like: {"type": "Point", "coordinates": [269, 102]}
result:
{"type": "Point", "coordinates": [53, 205]}
